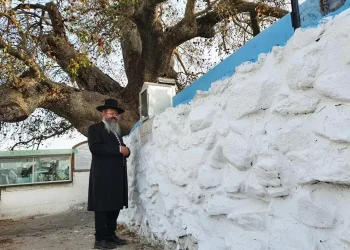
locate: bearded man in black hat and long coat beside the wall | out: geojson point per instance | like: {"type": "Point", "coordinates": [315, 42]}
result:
{"type": "Point", "coordinates": [108, 176]}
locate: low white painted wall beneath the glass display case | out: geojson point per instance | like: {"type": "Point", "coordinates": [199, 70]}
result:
{"type": "Point", "coordinates": [23, 201]}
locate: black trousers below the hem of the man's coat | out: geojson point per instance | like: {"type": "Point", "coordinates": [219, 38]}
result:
{"type": "Point", "coordinates": [105, 224]}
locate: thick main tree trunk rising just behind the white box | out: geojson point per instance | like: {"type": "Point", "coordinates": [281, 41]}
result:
{"type": "Point", "coordinates": [145, 58]}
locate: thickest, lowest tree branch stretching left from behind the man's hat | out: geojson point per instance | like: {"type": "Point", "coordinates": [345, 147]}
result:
{"type": "Point", "coordinates": [17, 102]}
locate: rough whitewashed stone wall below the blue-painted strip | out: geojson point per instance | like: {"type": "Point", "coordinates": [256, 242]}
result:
{"type": "Point", "coordinates": [261, 161]}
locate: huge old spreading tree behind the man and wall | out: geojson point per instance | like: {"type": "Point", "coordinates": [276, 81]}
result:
{"type": "Point", "coordinates": [50, 54]}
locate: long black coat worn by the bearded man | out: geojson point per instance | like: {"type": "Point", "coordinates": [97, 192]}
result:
{"type": "Point", "coordinates": [108, 185]}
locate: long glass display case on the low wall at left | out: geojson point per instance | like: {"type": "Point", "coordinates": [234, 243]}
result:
{"type": "Point", "coordinates": [34, 169]}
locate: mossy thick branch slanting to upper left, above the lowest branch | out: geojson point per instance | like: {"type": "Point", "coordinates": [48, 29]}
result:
{"type": "Point", "coordinates": [77, 65]}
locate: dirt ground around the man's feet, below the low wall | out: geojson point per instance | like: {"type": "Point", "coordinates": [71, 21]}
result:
{"type": "Point", "coordinates": [71, 230]}
